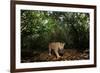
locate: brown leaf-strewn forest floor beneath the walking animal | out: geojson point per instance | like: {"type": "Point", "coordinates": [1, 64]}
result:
{"type": "Point", "coordinates": [43, 56]}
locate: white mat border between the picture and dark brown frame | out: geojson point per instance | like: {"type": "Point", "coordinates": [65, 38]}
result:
{"type": "Point", "coordinates": [52, 64]}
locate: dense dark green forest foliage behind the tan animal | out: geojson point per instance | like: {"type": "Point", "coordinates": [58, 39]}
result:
{"type": "Point", "coordinates": [39, 28]}
